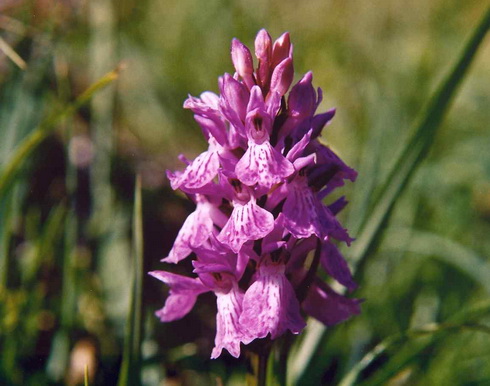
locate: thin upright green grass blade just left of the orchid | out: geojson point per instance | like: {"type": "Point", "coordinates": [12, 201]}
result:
{"type": "Point", "coordinates": [130, 368]}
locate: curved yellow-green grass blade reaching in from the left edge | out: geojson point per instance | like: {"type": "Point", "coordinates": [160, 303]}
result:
{"type": "Point", "coordinates": [28, 144]}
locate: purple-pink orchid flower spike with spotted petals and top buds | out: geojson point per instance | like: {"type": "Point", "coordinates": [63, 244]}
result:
{"type": "Point", "coordinates": [258, 191]}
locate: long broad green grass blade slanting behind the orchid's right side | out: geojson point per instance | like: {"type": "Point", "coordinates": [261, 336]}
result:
{"type": "Point", "coordinates": [404, 167]}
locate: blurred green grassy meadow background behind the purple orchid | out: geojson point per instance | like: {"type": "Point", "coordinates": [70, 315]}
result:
{"type": "Point", "coordinates": [69, 221]}
